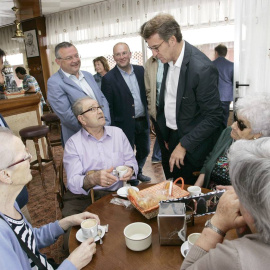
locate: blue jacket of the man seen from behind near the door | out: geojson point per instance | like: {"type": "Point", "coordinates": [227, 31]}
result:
{"type": "Point", "coordinates": [225, 84]}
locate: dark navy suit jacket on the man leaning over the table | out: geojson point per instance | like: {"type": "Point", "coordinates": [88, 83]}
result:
{"type": "Point", "coordinates": [198, 108]}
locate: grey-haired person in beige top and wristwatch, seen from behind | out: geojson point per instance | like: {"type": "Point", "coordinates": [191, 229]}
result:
{"type": "Point", "coordinates": [247, 204]}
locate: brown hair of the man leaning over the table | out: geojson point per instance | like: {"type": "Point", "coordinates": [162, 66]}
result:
{"type": "Point", "coordinates": [164, 25]}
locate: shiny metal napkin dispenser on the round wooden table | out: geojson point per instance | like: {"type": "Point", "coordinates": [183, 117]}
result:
{"type": "Point", "coordinates": [171, 223]}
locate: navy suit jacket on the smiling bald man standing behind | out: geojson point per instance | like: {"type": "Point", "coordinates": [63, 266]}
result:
{"type": "Point", "coordinates": [121, 102]}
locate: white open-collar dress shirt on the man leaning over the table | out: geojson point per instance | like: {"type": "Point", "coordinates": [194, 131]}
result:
{"type": "Point", "coordinates": [171, 90]}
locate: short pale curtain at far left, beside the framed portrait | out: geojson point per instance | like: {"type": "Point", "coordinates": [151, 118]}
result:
{"type": "Point", "coordinates": [6, 44]}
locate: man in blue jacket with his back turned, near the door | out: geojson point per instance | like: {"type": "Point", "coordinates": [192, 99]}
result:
{"type": "Point", "coordinates": [225, 83]}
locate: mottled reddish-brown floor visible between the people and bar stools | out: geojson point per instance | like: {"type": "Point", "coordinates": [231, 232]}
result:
{"type": "Point", "coordinates": [43, 206]}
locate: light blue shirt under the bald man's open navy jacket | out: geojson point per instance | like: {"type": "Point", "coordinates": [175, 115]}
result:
{"type": "Point", "coordinates": [134, 88]}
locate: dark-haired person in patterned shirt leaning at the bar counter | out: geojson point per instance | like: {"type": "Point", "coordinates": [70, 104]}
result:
{"type": "Point", "coordinates": [30, 84]}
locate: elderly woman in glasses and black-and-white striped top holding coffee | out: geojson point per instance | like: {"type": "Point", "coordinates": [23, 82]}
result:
{"type": "Point", "coordinates": [20, 243]}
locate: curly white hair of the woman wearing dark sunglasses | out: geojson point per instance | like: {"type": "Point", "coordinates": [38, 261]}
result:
{"type": "Point", "coordinates": [256, 109]}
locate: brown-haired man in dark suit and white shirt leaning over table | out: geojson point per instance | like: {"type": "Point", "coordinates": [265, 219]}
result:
{"type": "Point", "coordinates": [189, 113]}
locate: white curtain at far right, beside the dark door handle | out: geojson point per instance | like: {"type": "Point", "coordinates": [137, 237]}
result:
{"type": "Point", "coordinates": [252, 46]}
